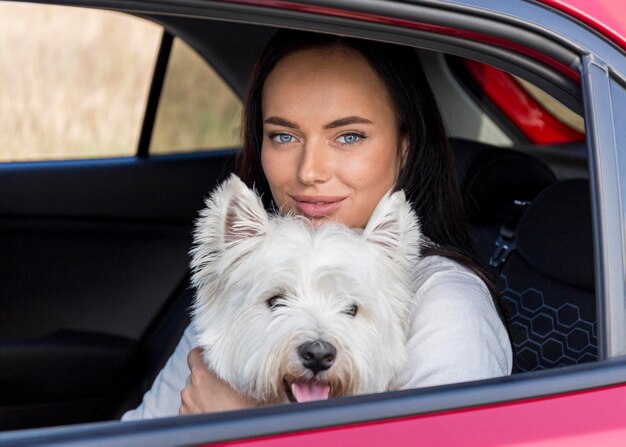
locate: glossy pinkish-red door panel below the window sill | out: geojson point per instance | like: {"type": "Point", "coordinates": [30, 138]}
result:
{"type": "Point", "coordinates": [589, 418]}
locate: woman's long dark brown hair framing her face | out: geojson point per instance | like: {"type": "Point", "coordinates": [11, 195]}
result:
{"type": "Point", "coordinates": [428, 177]}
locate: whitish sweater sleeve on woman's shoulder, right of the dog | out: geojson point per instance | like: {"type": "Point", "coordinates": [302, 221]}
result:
{"type": "Point", "coordinates": [456, 333]}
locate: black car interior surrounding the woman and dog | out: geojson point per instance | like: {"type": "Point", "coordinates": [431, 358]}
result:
{"type": "Point", "coordinates": [94, 275]}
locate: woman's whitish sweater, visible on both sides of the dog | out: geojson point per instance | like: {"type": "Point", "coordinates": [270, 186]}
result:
{"type": "Point", "coordinates": [456, 336]}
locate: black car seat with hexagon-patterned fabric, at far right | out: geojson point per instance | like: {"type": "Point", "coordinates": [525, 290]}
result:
{"type": "Point", "coordinates": [547, 282]}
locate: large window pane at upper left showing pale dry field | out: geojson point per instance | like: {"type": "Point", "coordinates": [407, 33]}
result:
{"type": "Point", "coordinates": [74, 81]}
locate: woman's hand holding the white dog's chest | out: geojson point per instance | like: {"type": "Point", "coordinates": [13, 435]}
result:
{"type": "Point", "coordinates": [204, 392]}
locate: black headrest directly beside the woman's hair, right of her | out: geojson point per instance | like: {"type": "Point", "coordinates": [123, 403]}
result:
{"type": "Point", "coordinates": [491, 178]}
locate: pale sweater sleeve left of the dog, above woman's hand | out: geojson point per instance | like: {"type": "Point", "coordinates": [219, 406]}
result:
{"type": "Point", "coordinates": [163, 399]}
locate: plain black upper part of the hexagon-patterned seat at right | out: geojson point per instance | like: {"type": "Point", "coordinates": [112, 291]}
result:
{"type": "Point", "coordinates": [555, 235]}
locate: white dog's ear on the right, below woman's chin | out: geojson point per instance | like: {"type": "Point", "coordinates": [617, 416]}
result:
{"type": "Point", "coordinates": [394, 227]}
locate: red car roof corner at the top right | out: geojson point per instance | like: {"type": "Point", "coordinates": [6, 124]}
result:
{"type": "Point", "coordinates": [605, 16]}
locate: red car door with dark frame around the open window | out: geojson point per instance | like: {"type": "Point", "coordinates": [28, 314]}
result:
{"type": "Point", "coordinates": [581, 404]}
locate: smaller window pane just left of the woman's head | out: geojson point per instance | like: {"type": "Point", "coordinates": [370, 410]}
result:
{"type": "Point", "coordinates": [197, 110]}
